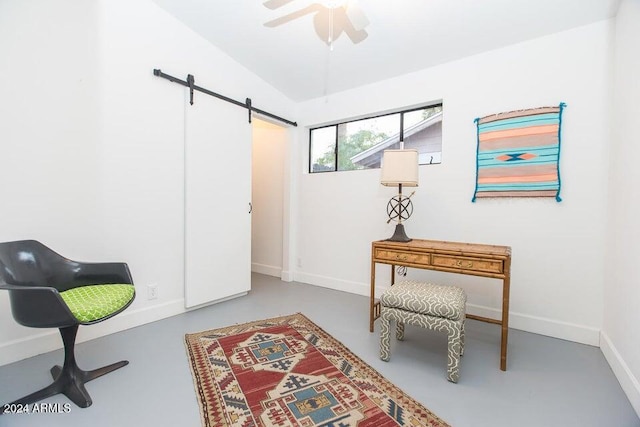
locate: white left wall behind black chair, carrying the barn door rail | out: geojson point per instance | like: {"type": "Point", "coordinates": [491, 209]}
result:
{"type": "Point", "coordinates": [92, 143]}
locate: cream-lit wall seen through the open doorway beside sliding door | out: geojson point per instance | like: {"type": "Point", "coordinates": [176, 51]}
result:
{"type": "Point", "coordinates": [267, 185]}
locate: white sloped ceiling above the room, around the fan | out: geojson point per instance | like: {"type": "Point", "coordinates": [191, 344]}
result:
{"type": "Point", "coordinates": [401, 36]}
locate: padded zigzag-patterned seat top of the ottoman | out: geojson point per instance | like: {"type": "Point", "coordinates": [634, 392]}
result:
{"type": "Point", "coordinates": [426, 298]}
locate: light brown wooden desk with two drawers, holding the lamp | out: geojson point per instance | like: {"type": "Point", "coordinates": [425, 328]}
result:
{"type": "Point", "coordinates": [454, 257]}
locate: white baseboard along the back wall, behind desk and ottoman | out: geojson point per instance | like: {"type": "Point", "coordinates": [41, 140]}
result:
{"type": "Point", "coordinates": [524, 322]}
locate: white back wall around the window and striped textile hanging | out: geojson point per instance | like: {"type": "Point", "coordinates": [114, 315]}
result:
{"type": "Point", "coordinates": [557, 247]}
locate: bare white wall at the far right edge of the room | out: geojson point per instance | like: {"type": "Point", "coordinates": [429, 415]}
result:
{"type": "Point", "coordinates": [621, 335]}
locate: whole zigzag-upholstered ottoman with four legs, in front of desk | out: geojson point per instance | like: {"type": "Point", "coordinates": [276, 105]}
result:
{"type": "Point", "coordinates": [435, 307]}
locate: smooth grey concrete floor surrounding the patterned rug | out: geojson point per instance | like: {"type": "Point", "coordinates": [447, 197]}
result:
{"type": "Point", "coordinates": [549, 382]}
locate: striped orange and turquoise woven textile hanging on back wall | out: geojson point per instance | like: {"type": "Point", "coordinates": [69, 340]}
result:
{"type": "Point", "coordinates": [518, 154]}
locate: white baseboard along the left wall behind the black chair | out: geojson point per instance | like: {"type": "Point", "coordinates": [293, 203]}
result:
{"type": "Point", "coordinates": [33, 345]}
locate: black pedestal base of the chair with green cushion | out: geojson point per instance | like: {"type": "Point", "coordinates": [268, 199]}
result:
{"type": "Point", "coordinates": [69, 379]}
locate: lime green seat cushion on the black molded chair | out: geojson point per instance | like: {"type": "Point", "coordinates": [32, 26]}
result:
{"type": "Point", "coordinates": [93, 302]}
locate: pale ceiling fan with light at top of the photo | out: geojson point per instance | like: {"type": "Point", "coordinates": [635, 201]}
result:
{"type": "Point", "coordinates": [331, 18]}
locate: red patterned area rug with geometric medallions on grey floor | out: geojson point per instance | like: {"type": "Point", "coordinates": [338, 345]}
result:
{"type": "Point", "coordinates": [287, 371]}
